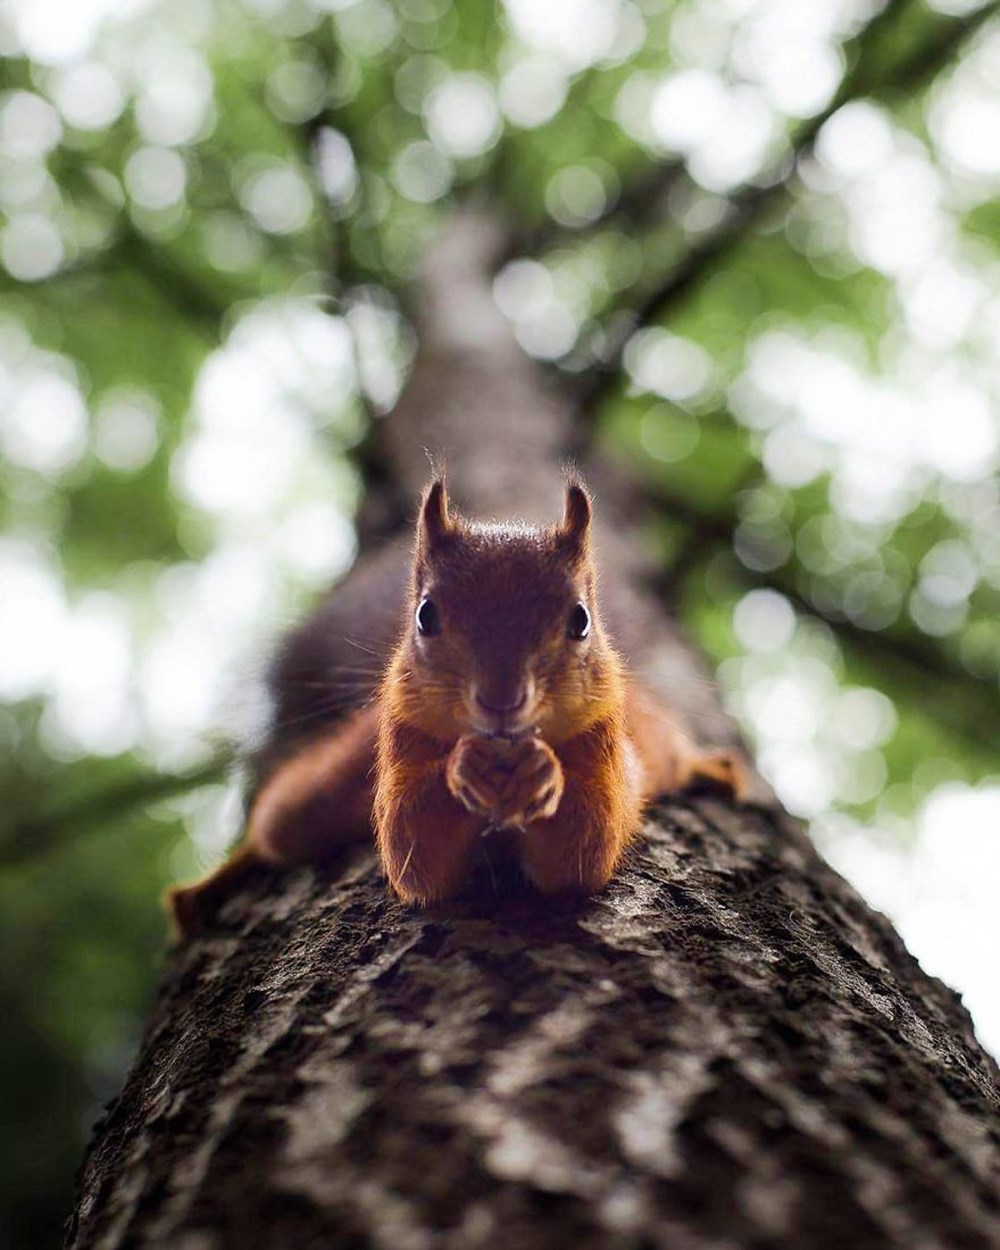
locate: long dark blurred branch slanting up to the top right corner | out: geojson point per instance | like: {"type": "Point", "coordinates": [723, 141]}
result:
{"type": "Point", "coordinates": [912, 73]}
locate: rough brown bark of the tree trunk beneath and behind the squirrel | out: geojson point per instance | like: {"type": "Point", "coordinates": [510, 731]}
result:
{"type": "Point", "coordinates": [726, 1048]}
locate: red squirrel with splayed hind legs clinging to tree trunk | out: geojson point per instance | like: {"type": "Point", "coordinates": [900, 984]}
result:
{"type": "Point", "coordinates": [503, 706]}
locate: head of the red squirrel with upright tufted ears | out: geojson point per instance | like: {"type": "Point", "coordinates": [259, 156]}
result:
{"type": "Point", "coordinates": [504, 637]}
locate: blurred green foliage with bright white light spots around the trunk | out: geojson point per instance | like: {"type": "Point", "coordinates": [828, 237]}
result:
{"type": "Point", "coordinates": [212, 217]}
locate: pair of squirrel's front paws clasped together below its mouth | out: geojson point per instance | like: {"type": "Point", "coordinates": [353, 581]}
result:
{"type": "Point", "coordinates": [511, 783]}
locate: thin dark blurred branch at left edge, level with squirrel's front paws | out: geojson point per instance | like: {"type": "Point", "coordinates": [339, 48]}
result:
{"type": "Point", "coordinates": [39, 836]}
